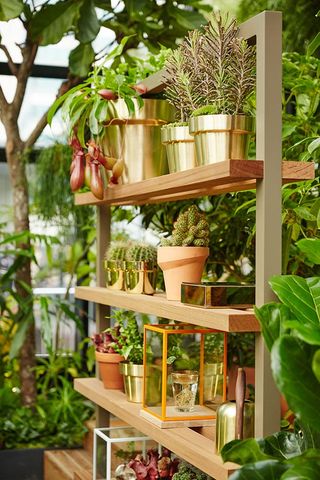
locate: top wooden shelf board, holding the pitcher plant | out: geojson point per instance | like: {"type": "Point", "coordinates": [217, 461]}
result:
{"type": "Point", "coordinates": [222, 177]}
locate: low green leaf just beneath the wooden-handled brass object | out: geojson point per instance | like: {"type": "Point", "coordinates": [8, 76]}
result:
{"type": "Point", "coordinates": [243, 451]}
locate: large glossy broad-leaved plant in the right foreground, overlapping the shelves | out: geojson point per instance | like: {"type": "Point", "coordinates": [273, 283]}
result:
{"type": "Point", "coordinates": [291, 330]}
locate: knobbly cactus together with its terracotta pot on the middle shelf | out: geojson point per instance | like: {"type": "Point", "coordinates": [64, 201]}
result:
{"type": "Point", "coordinates": [182, 257]}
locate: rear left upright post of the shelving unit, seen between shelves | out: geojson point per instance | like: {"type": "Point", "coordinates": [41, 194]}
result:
{"type": "Point", "coordinates": [102, 311]}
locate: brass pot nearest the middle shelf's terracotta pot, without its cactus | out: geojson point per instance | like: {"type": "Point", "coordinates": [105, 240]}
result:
{"type": "Point", "coordinates": [141, 277]}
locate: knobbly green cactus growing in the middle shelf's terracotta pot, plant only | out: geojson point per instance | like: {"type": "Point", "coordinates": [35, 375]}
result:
{"type": "Point", "coordinates": [190, 229]}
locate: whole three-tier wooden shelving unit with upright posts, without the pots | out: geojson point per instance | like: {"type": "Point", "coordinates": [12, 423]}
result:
{"type": "Point", "coordinates": [266, 176]}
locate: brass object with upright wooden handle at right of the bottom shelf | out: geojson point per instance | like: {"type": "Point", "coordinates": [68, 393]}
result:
{"type": "Point", "coordinates": [235, 418]}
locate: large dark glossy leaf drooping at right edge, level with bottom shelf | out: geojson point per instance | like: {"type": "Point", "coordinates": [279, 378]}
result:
{"type": "Point", "coordinates": [291, 366]}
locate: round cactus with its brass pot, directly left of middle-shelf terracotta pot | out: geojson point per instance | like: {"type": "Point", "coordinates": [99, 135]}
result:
{"type": "Point", "coordinates": [141, 268]}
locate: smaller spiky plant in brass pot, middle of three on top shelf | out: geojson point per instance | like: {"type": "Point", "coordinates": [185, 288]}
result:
{"type": "Point", "coordinates": [180, 145]}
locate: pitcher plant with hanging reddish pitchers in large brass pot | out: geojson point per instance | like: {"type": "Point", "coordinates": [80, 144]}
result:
{"type": "Point", "coordinates": [107, 118]}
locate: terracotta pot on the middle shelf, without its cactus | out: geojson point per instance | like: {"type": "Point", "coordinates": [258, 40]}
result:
{"type": "Point", "coordinates": [181, 264]}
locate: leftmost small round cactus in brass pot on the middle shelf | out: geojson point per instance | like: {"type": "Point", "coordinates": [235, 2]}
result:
{"type": "Point", "coordinates": [114, 264]}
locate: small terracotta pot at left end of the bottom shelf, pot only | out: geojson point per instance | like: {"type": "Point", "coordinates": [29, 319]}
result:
{"type": "Point", "coordinates": [109, 370]}
